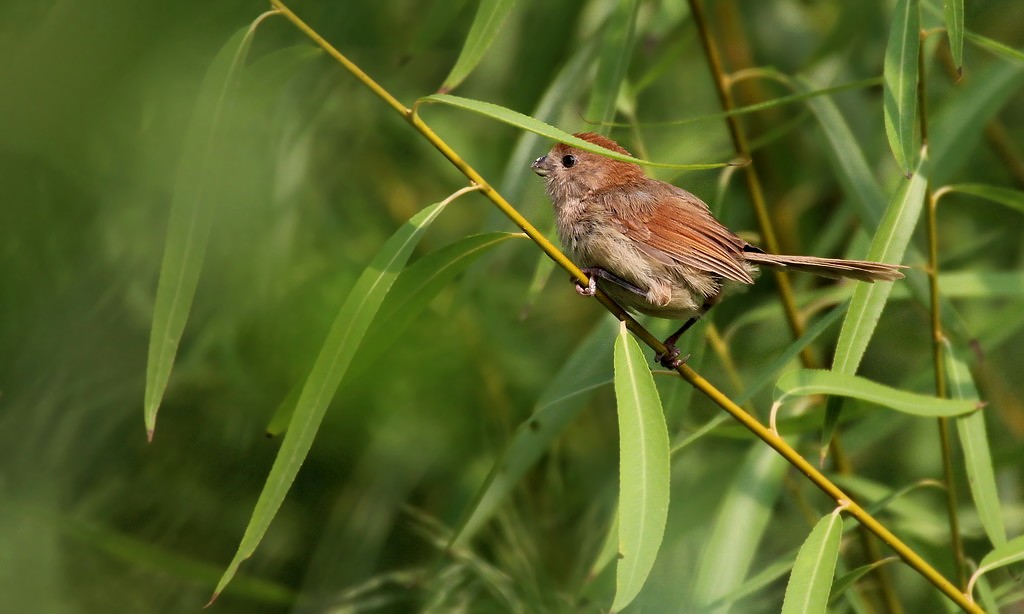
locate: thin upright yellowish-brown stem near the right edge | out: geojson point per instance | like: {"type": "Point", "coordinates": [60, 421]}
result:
{"type": "Point", "coordinates": [938, 337]}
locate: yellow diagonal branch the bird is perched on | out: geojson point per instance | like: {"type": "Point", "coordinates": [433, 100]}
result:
{"type": "Point", "coordinates": [762, 432]}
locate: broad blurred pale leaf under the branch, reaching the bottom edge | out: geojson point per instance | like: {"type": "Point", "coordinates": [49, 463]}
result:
{"type": "Point", "coordinates": [740, 525]}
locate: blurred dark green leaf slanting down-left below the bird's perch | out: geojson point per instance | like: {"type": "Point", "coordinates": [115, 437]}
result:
{"type": "Point", "coordinates": [583, 373]}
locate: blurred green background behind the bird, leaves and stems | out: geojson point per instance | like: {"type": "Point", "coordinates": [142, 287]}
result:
{"type": "Point", "coordinates": [318, 174]}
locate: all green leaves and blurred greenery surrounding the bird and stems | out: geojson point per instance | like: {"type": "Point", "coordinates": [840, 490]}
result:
{"type": "Point", "coordinates": [191, 216]}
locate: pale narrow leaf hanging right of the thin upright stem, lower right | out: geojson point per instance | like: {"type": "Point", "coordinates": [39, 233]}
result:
{"type": "Point", "coordinates": [974, 442]}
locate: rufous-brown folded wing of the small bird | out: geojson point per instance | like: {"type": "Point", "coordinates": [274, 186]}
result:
{"type": "Point", "coordinates": [675, 227]}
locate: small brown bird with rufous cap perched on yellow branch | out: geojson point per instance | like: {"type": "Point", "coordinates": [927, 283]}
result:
{"type": "Point", "coordinates": [656, 248]}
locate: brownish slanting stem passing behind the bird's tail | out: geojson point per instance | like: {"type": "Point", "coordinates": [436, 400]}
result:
{"type": "Point", "coordinates": [796, 322]}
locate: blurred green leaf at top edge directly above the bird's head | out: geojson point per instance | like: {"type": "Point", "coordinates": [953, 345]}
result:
{"type": "Point", "coordinates": [617, 49]}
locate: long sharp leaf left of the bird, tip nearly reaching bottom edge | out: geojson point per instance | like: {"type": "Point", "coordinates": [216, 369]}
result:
{"type": "Point", "coordinates": [339, 347]}
